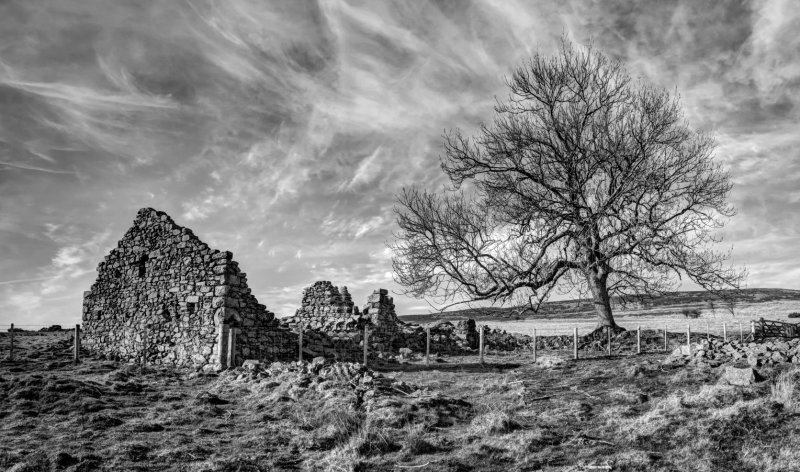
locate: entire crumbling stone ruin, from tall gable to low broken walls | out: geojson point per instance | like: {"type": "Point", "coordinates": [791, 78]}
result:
{"type": "Point", "coordinates": [162, 296]}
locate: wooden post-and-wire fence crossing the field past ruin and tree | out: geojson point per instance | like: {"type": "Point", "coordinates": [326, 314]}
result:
{"type": "Point", "coordinates": [575, 340]}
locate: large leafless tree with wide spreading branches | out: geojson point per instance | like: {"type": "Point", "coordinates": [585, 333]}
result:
{"type": "Point", "coordinates": [584, 179]}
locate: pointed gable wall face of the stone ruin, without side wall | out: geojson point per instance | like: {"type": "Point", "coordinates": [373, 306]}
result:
{"type": "Point", "coordinates": [132, 312]}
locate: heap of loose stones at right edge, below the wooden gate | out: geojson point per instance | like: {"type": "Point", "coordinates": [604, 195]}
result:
{"type": "Point", "coordinates": [756, 354]}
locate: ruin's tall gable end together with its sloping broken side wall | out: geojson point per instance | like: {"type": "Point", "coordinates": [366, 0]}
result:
{"type": "Point", "coordinates": [164, 296]}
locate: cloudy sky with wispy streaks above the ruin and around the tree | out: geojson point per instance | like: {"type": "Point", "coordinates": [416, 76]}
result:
{"type": "Point", "coordinates": [282, 130]}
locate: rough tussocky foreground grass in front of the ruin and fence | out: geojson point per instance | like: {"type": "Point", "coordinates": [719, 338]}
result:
{"type": "Point", "coordinates": [621, 413]}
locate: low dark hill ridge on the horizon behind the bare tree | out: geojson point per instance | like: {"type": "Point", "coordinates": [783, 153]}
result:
{"type": "Point", "coordinates": [583, 307]}
